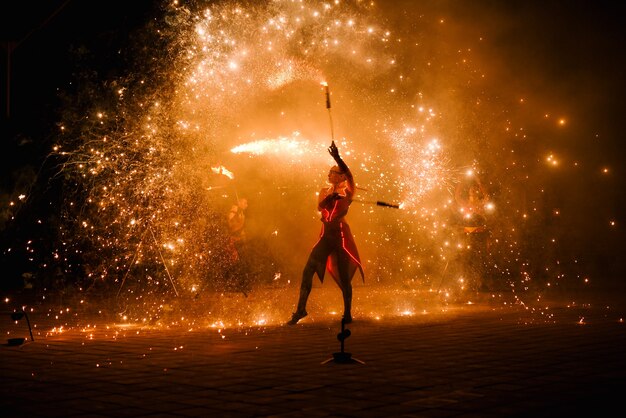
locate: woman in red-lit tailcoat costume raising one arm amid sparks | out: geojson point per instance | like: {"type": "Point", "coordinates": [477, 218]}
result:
{"type": "Point", "coordinates": [335, 250]}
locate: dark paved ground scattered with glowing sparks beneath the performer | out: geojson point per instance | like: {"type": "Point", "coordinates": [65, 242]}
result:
{"type": "Point", "coordinates": [477, 361]}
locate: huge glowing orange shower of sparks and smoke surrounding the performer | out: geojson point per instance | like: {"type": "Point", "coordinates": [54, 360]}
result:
{"type": "Point", "coordinates": [225, 100]}
